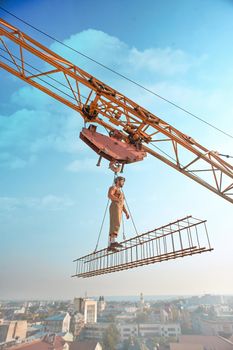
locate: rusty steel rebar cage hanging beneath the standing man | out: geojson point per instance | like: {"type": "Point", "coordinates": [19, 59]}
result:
{"type": "Point", "coordinates": [180, 238]}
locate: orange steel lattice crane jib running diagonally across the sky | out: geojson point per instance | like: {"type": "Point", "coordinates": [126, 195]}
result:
{"type": "Point", "coordinates": [98, 103]}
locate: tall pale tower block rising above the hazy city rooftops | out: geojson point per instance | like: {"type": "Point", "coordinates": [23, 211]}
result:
{"type": "Point", "coordinates": [88, 308]}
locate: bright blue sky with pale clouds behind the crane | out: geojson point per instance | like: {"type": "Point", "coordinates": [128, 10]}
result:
{"type": "Point", "coordinates": [52, 197]}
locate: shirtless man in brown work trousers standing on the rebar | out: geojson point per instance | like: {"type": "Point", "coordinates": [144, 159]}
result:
{"type": "Point", "coordinates": [115, 210]}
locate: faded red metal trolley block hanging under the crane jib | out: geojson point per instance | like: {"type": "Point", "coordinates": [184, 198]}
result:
{"type": "Point", "coordinates": [110, 147]}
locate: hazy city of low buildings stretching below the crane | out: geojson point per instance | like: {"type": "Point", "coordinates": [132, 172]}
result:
{"type": "Point", "coordinates": [161, 324]}
